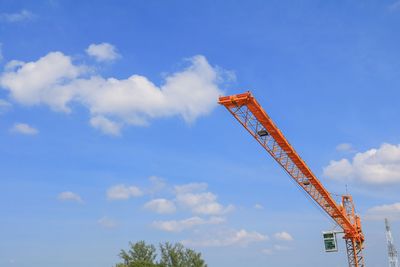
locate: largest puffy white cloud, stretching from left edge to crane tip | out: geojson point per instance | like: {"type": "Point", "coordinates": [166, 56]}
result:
{"type": "Point", "coordinates": [54, 80]}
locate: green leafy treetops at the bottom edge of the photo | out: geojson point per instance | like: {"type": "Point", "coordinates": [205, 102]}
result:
{"type": "Point", "coordinates": [142, 255]}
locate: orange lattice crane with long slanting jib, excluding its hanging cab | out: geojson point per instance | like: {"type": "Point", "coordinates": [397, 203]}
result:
{"type": "Point", "coordinates": [245, 108]}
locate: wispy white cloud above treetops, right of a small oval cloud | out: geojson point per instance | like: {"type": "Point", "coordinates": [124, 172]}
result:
{"type": "Point", "coordinates": [193, 197]}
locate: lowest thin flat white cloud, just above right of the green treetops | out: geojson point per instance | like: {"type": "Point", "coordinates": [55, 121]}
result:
{"type": "Point", "coordinates": [232, 238]}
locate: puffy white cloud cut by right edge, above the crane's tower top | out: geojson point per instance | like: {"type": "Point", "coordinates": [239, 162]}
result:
{"type": "Point", "coordinates": [375, 166]}
